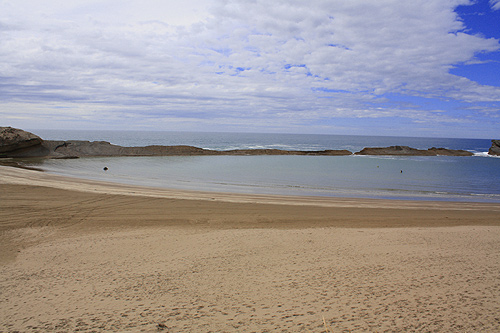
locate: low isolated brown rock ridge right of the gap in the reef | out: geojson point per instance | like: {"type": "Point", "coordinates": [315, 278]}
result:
{"type": "Point", "coordinates": [408, 151]}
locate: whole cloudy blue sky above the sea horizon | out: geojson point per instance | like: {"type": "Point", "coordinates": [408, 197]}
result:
{"type": "Point", "coordinates": [427, 68]}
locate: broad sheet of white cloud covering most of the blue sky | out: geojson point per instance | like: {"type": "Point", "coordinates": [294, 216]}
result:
{"type": "Point", "coordinates": [260, 61]}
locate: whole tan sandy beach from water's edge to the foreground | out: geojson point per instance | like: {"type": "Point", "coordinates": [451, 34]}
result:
{"type": "Point", "coordinates": [85, 256]}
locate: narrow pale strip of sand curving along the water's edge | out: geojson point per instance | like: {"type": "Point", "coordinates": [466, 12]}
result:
{"type": "Point", "coordinates": [36, 177]}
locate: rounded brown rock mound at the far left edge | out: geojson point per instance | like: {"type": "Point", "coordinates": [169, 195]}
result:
{"type": "Point", "coordinates": [16, 141]}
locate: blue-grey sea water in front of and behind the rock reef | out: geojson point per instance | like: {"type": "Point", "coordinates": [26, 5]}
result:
{"type": "Point", "coordinates": [468, 179]}
